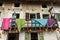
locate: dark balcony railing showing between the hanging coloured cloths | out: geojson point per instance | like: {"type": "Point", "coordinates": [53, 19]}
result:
{"type": "Point", "coordinates": [34, 25]}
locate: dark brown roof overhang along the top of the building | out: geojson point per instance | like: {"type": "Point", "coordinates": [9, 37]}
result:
{"type": "Point", "coordinates": [32, 0]}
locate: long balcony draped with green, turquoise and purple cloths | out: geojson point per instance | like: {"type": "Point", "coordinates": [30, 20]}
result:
{"type": "Point", "coordinates": [34, 24]}
